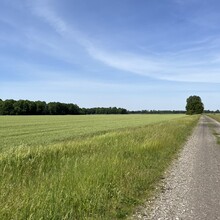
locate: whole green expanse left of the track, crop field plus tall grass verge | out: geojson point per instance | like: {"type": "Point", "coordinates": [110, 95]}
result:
{"type": "Point", "coordinates": [84, 167]}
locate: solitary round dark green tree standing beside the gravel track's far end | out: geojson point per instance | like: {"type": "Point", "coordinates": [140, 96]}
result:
{"type": "Point", "coordinates": [194, 105]}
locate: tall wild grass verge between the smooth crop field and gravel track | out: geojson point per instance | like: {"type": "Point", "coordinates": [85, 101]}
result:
{"type": "Point", "coordinates": [100, 177]}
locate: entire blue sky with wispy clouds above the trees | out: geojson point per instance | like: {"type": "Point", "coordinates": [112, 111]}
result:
{"type": "Point", "coordinates": [136, 54]}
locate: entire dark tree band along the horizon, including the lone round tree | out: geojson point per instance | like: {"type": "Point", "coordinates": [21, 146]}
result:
{"type": "Point", "coordinates": [26, 107]}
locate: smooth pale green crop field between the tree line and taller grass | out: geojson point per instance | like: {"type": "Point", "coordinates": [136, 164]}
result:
{"type": "Point", "coordinates": [42, 130]}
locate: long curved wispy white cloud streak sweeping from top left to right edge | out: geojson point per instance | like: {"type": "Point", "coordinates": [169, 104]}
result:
{"type": "Point", "coordinates": [171, 66]}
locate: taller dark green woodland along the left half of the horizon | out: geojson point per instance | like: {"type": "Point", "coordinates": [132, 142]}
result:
{"type": "Point", "coordinates": [26, 107]}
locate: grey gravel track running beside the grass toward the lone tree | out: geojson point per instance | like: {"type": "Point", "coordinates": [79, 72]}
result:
{"type": "Point", "coordinates": [191, 189]}
